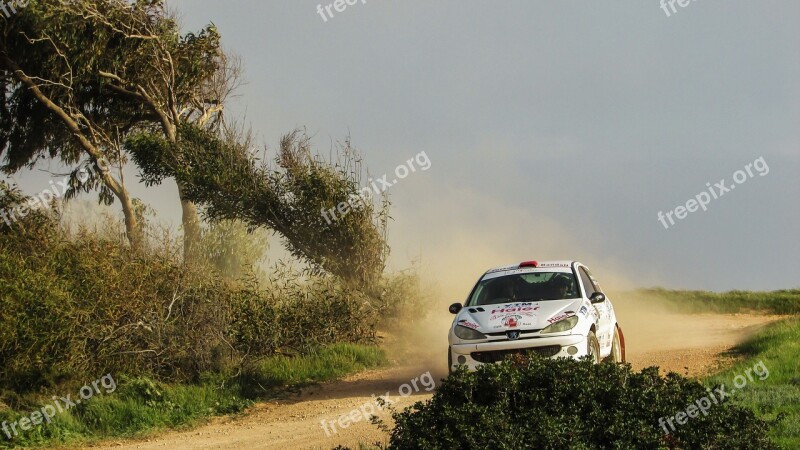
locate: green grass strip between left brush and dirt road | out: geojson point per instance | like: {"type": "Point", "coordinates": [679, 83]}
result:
{"type": "Point", "coordinates": [141, 406]}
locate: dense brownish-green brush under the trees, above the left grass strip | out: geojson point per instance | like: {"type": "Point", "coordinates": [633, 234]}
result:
{"type": "Point", "coordinates": [73, 307]}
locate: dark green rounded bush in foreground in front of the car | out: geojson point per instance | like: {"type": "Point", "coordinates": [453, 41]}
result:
{"type": "Point", "coordinates": [558, 404]}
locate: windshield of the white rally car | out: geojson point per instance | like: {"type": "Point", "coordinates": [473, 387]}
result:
{"type": "Point", "coordinates": [534, 286]}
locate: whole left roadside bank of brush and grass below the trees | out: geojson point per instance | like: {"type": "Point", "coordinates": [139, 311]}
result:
{"type": "Point", "coordinates": [183, 341]}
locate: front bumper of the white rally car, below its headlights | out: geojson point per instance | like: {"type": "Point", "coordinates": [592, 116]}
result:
{"type": "Point", "coordinates": [473, 355]}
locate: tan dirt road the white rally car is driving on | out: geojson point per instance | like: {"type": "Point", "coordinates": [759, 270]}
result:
{"type": "Point", "coordinates": [688, 344]}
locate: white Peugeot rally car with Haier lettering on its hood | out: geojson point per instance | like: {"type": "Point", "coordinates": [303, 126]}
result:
{"type": "Point", "coordinates": [553, 308]}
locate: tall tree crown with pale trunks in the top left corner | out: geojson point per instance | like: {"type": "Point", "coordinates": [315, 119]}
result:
{"type": "Point", "coordinates": [80, 76]}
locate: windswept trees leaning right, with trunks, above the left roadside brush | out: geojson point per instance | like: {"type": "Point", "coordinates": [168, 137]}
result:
{"type": "Point", "coordinates": [105, 79]}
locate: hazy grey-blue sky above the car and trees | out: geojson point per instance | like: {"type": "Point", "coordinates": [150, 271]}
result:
{"type": "Point", "coordinates": [554, 130]}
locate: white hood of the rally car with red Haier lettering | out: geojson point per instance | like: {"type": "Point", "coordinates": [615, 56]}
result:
{"type": "Point", "coordinates": [518, 315]}
